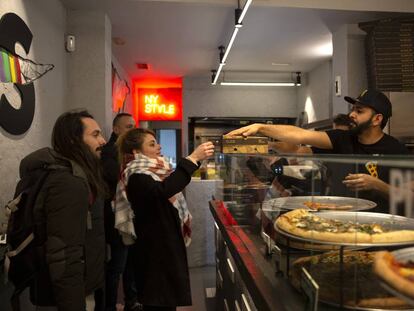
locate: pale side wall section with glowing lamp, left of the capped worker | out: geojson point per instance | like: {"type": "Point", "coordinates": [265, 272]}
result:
{"type": "Point", "coordinates": [314, 96]}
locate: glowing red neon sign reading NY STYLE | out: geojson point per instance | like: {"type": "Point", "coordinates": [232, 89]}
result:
{"type": "Point", "coordinates": [159, 104]}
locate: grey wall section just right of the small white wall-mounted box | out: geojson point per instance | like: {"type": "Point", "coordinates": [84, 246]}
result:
{"type": "Point", "coordinates": [89, 67]}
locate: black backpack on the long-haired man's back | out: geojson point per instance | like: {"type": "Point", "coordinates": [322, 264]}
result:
{"type": "Point", "coordinates": [26, 236]}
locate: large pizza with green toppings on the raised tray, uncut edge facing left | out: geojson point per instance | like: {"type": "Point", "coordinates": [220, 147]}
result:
{"type": "Point", "coordinates": [305, 224]}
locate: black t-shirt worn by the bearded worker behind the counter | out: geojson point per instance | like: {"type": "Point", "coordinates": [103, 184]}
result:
{"type": "Point", "coordinates": [344, 142]}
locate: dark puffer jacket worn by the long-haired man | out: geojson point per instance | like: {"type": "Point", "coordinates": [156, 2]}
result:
{"type": "Point", "coordinates": [75, 245]}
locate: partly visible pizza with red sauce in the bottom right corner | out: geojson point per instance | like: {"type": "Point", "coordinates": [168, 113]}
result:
{"type": "Point", "coordinates": [398, 274]}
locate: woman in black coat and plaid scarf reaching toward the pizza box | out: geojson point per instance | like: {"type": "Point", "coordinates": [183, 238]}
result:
{"type": "Point", "coordinates": [161, 220]}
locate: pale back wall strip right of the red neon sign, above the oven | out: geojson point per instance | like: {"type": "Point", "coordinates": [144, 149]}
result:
{"type": "Point", "coordinates": [201, 99]}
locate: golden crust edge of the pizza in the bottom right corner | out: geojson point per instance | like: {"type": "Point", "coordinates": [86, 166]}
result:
{"type": "Point", "coordinates": [382, 267]}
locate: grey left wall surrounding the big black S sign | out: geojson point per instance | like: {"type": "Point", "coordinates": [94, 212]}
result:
{"type": "Point", "coordinates": [47, 21]}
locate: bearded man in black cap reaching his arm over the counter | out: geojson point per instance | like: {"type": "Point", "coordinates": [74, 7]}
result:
{"type": "Point", "coordinates": [370, 113]}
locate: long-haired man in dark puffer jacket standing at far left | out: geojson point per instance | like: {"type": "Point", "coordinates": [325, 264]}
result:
{"type": "Point", "coordinates": [72, 213]}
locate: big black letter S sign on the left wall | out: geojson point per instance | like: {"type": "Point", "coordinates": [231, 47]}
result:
{"type": "Point", "coordinates": [16, 121]}
